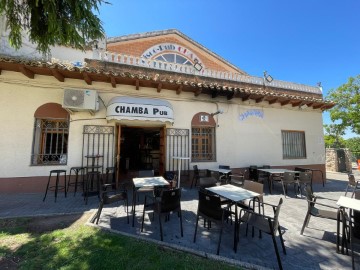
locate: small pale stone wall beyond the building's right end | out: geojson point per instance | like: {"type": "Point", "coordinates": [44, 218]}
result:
{"type": "Point", "coordinates": [338, 160]}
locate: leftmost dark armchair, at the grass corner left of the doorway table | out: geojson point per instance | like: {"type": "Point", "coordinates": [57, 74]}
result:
{"type": "Point", "coordinates": [110, 197]}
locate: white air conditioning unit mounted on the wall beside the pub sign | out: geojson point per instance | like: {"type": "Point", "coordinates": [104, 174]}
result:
{"type": "Point", "coordinates": [81, 100]}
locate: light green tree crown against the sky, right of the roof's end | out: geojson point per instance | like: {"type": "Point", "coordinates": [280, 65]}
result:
{"type": "Point", "coordinates": [347, 110]}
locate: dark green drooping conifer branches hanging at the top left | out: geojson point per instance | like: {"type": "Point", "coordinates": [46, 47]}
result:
{"type": "Point", "coordinates": [52, 22]}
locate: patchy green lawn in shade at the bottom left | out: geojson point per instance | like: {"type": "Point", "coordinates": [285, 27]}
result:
{"type": "Point", "coordinates": [27, 244]}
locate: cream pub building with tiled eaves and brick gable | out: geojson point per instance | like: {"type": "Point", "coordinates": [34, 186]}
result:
{"type": "Point", "coordinates": [145, 99]}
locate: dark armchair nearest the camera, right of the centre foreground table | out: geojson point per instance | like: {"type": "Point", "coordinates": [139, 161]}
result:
{"type": "Point", "coordinates": [267, 224]}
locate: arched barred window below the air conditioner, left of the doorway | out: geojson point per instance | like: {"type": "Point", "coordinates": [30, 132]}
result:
{"type": "Point", "coordinates": [50, 141]}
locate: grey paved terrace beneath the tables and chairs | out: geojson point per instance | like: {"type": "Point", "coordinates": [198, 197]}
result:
{"type": "Point", "coordinates": [316, 249]}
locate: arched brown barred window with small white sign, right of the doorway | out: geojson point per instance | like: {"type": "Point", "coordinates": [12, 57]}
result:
{"type": "Point", "coordinates": [203, 138]}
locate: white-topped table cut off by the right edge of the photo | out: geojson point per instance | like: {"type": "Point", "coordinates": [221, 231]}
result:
{"type": "Point", "coordinates": [353, 205]}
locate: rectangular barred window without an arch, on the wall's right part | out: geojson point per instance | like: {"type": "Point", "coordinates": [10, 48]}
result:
{"type": "Point", "coordinates": [293, 144]}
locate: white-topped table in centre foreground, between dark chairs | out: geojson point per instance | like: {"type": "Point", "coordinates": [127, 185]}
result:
{"type": "Point", "coordinates": [235, 194]}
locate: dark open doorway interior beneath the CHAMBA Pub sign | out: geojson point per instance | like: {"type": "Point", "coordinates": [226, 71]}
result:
{"type": "Point", "coordinates": [140, 149]}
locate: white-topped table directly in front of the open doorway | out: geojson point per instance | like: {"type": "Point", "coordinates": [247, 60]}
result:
{"type": "Point", "coordinates": [142, 182]}
